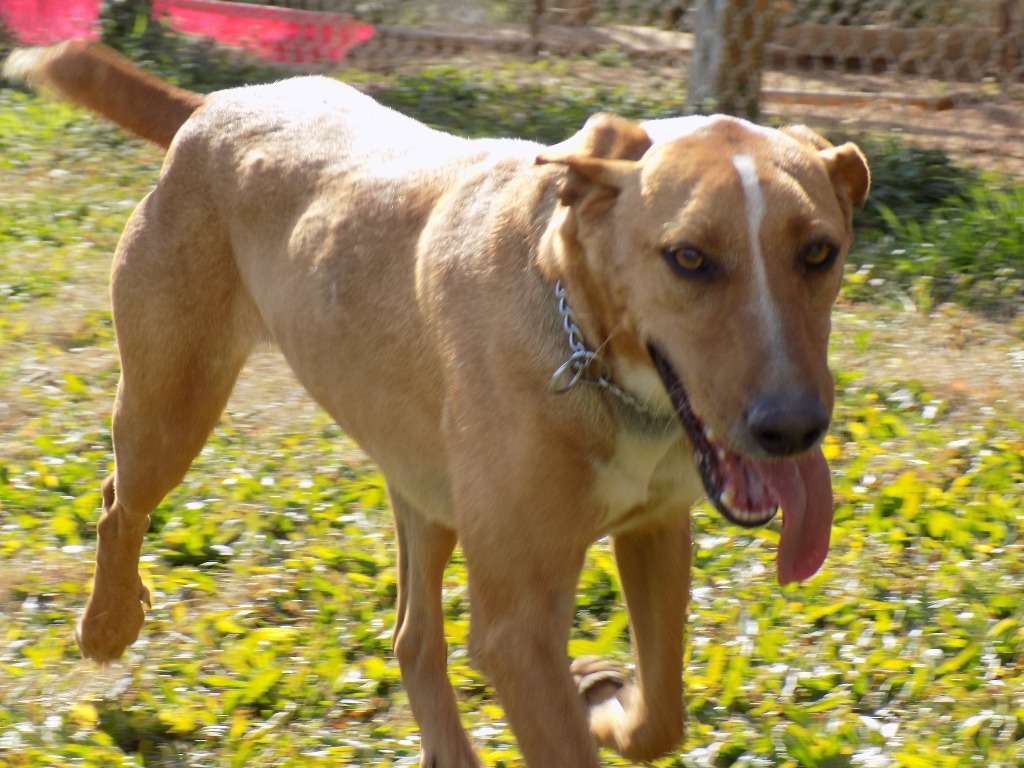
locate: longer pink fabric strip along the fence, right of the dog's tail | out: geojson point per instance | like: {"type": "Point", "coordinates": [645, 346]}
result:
{"type": "Point", "coordinates": [275, 34]}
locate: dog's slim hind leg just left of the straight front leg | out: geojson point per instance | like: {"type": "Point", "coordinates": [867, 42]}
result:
{"type": "Point", "coordinates": [424, 549]}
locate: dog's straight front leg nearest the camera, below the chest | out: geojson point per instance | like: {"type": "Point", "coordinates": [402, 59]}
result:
{"type": "Point", "coordinates": [525, 540]}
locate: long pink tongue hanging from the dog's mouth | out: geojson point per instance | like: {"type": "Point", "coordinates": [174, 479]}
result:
{"type": "Point", "coordinates": [804, 491]}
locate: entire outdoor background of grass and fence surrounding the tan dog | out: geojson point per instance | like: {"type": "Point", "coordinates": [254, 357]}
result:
{"type": "Point", "coordinates": [272, 568]}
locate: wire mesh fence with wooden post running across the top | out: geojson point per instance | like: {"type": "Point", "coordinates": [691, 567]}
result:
{"type": "Point", "coordinates": [949, 72]}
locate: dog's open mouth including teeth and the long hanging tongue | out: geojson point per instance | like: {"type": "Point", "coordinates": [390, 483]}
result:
{"type": "Point", "coordinates": [750, 492]}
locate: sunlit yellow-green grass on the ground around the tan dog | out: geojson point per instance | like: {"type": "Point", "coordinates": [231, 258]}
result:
{"type": "Point", "coordinates": [273, 571]}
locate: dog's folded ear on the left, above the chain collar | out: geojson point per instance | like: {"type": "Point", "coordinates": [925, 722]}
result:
{"type": "Point", "coordinates": [602, 154]}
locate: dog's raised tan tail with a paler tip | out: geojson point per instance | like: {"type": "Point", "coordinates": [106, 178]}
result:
{"type": "Point", "coordinates": [103, 81]}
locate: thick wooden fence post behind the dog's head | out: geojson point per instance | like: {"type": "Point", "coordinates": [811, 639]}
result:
{"type": "Point", "coordinates": [729, 57]}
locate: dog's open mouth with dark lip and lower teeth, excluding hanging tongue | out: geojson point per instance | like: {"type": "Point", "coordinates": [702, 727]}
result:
{"type": "Point", "coordinates": [735, 486]}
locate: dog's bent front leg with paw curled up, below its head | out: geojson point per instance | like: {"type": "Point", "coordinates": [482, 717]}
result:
{"type": "Point", "coordinates": [646, 721]}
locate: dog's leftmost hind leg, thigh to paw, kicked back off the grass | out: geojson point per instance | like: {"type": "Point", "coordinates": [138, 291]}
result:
{"type": "Point", "coordinates": [183, 339]}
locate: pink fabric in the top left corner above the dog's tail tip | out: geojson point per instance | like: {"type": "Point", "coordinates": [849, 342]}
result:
{"type": "Point", "coordinates": [48, 22]}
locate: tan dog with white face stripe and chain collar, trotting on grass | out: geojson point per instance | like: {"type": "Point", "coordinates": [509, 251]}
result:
{"type": "Point", "coordinates": [539, 347]}
